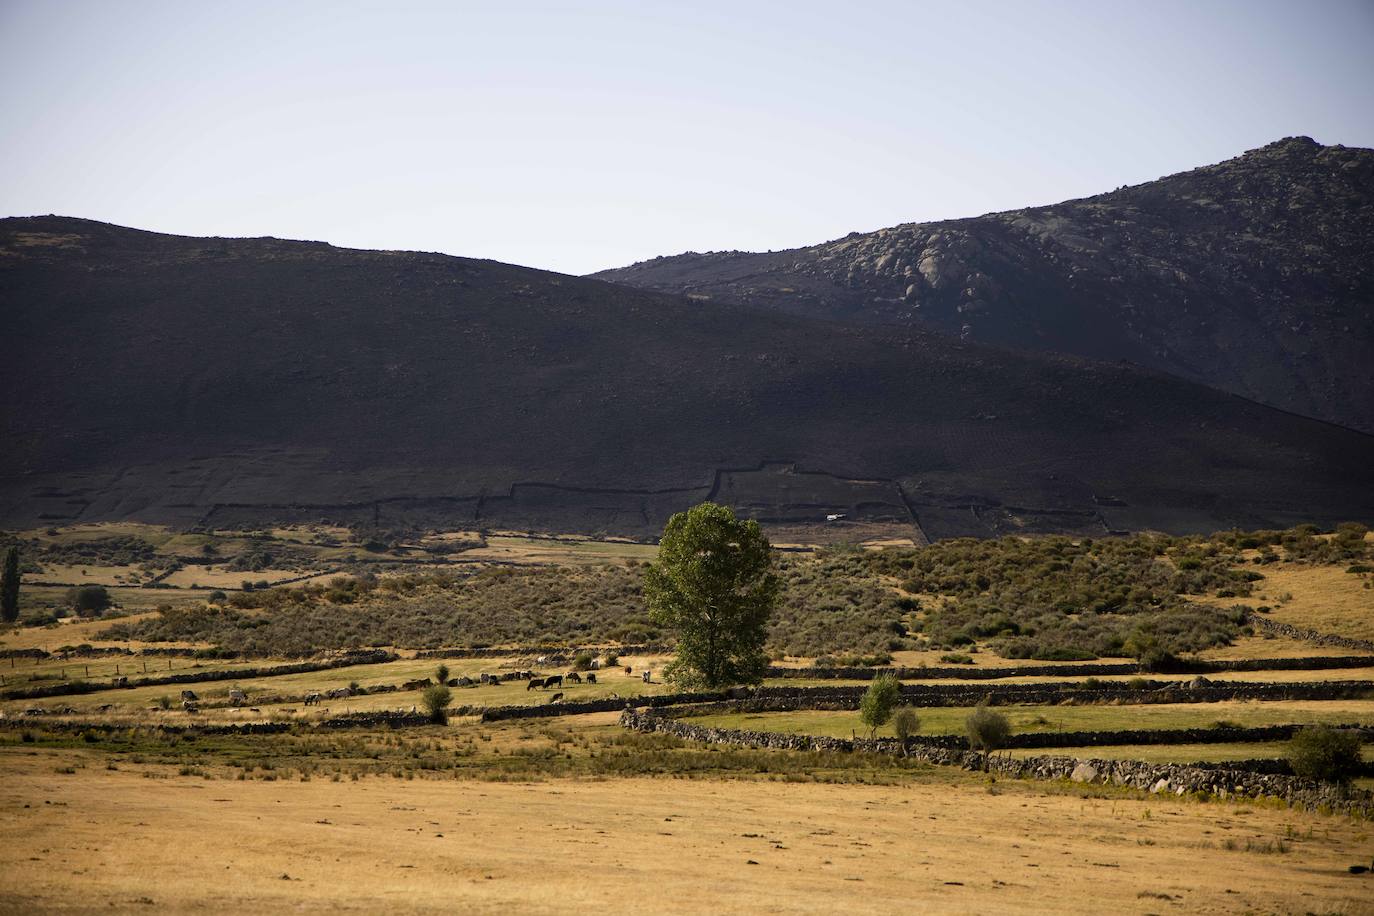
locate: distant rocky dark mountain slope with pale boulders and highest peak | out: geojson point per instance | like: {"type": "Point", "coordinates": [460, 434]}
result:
{"type": "Point", "coordinates": [1255, 277]}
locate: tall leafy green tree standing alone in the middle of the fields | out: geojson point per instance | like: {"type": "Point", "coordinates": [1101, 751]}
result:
{"type": "Point", "coordinates": [715, 587]}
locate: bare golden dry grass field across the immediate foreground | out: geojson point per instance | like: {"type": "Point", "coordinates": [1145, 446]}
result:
{"type": "Point", "coordinates": [116, 841]}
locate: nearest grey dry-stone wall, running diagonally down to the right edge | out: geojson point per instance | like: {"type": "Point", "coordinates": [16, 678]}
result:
{"type": "Point", "coordinates": [1156, 778]}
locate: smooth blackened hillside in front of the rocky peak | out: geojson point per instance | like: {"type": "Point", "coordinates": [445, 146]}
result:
{"type": "Point", "coordinates": [193, 381]}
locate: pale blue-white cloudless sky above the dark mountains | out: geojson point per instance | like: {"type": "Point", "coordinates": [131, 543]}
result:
{"type": "Point", "coordinates": [579, 137]}
